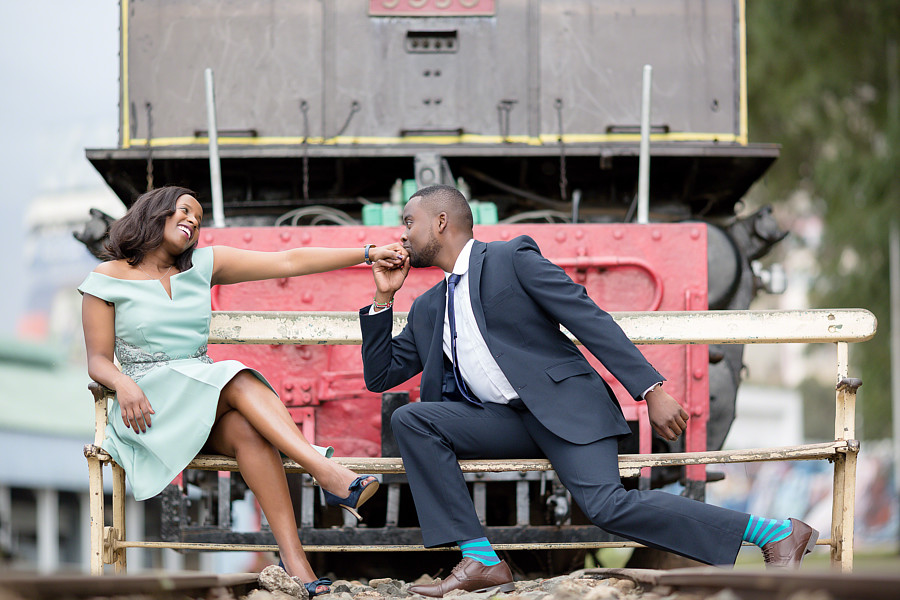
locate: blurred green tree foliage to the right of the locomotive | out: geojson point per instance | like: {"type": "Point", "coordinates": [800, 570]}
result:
{"type": "Point", "coordinates": [823, 82]}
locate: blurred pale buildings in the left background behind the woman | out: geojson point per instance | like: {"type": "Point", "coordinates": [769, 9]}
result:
{"type": "Point", "coordinates": [47, 416]}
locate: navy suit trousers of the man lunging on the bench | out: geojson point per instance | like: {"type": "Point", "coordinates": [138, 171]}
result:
{"type": "Point", "coordinates": [432, 436]}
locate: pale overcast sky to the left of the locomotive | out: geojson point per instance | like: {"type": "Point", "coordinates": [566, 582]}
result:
{"type": "Point", "coordinates": [58, 95]}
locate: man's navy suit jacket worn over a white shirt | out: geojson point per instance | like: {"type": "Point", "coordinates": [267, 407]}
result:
{"type": "Point", "coordinates": [519, 299]}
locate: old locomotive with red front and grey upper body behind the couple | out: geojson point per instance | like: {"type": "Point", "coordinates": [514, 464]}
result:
{"type": "Point", "coordinates": [328, 114]}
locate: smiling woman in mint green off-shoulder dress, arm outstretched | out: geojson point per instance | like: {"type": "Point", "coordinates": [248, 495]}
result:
{"type": "Point", "coordinates": [149, 306]}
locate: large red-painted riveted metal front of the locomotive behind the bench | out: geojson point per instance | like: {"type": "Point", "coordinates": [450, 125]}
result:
{"type": "Point", "coordinates": [623, 268]}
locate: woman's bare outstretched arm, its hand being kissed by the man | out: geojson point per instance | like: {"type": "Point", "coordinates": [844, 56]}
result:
{"type": "Point", "coordinates": [234, 265]}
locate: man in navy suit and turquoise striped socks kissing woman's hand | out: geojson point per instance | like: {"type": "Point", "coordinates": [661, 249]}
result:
{"type": "Point", "coordinates": [499, 380]}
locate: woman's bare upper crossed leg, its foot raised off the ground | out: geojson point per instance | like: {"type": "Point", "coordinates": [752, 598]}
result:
{"type": "Point", "coordinates": [261, 407]}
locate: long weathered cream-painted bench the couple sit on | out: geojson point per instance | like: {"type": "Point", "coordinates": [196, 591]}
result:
{"type": "Point", "coordinates": [840, 327]}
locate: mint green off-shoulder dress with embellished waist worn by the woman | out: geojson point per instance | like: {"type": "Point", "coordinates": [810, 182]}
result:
{"type": "Point", "coordinates": [161, 344]}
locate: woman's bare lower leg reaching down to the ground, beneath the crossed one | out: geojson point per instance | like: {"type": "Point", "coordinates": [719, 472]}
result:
{"type": "Point", "coordinates": [261, 468]}
